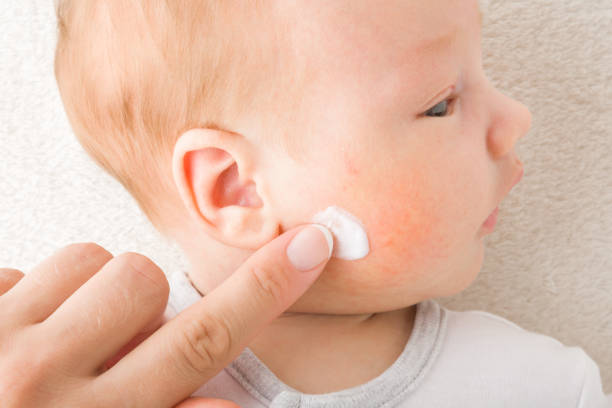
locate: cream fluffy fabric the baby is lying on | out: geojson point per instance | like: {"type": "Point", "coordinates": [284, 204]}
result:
{"type": "Point", "coordinates": [548, 265]}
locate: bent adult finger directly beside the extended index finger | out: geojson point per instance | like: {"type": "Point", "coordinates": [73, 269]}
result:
{"type": "Point", "coordinates": [108, 311]}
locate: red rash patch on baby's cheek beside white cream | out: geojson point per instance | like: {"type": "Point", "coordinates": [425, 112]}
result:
{"type": "Point", "coordinates": [398, 208]}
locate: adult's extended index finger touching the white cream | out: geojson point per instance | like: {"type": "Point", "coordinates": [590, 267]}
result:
{"type": "Point", "coordinates": [198, 343]}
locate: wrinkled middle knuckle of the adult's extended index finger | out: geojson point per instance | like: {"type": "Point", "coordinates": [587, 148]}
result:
{"type": "Point", "coordinates": [206, 343]}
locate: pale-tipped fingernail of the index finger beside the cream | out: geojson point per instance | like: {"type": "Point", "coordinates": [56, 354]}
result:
{"type": "Point", "coordinates": [311, 246]}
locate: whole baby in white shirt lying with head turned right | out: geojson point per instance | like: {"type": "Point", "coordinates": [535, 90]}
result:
{"type": "Point", "coordinates": [232, 121]}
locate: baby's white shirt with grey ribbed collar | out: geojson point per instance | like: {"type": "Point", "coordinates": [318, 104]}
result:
{"type": "Point", "coordinates": [453, 359]}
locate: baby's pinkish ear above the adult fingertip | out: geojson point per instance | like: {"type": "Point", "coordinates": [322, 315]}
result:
{"type": "Point", "coordinates": [213, 171]}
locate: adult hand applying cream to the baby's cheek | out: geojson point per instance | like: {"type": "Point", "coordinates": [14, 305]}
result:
{"type": "Point", "coordinates": [63, 324]}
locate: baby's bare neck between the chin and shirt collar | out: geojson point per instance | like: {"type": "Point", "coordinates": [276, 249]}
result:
{"type": "Point", "coordinates": [317, 354]}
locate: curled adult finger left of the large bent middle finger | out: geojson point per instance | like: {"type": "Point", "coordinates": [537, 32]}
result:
{"type": "Point", "coordinates": [40, 292]}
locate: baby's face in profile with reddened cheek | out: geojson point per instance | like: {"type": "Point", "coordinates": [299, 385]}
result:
{"type": "Point", "coordinates": [406, 133]}
